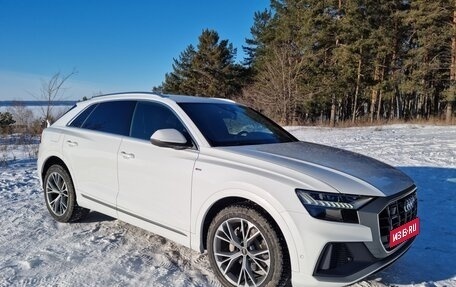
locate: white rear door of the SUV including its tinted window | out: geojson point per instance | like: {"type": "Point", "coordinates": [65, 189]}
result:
{"type": "Point", "coordinates": [91, 146]}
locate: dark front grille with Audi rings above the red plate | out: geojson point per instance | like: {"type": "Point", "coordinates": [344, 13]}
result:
{"type": "Point", "coordinates": [396, 214]}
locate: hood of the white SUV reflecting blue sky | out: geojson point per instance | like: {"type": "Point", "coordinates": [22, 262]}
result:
{"type": "Point", "coordinates": [345, 171]}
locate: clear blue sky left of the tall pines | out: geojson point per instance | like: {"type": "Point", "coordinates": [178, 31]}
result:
{"type": "Point", "coordinates": [114, 45]}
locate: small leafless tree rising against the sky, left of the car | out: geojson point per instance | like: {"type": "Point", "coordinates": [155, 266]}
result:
{"type": "Point", "coordinates": [51, 91]}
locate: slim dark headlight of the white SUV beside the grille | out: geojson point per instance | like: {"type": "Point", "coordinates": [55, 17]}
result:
{"type": "Point", "coordinates": [332, 206]}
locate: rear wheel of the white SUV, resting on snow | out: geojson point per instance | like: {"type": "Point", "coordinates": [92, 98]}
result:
{"type": "Point", "coordinates": [60, 196]}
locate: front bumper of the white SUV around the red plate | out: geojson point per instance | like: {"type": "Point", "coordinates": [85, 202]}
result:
{"type": "Point", "coordinates": [339, 254]}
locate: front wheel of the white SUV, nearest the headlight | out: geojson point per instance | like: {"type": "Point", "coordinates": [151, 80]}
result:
{"type": "Point", "coordinates": [244, 249]}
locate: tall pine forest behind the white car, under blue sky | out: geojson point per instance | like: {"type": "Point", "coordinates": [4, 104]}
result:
{"type": "Point", "coordinates": [332, 61]}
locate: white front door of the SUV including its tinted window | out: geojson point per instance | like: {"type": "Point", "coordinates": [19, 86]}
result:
{"type": "Point", "coordinates": [155, 182]}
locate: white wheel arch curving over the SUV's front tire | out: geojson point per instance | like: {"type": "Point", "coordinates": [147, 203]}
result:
{"type": "Point", "coordinates": [265, 209]}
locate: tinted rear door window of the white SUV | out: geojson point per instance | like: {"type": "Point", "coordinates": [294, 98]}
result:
{"type": "Point", "coordinates": [111, 117]}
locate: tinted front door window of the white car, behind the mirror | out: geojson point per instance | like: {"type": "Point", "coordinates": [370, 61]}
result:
{"type": "Point", "coordinates": [150, 117]}
